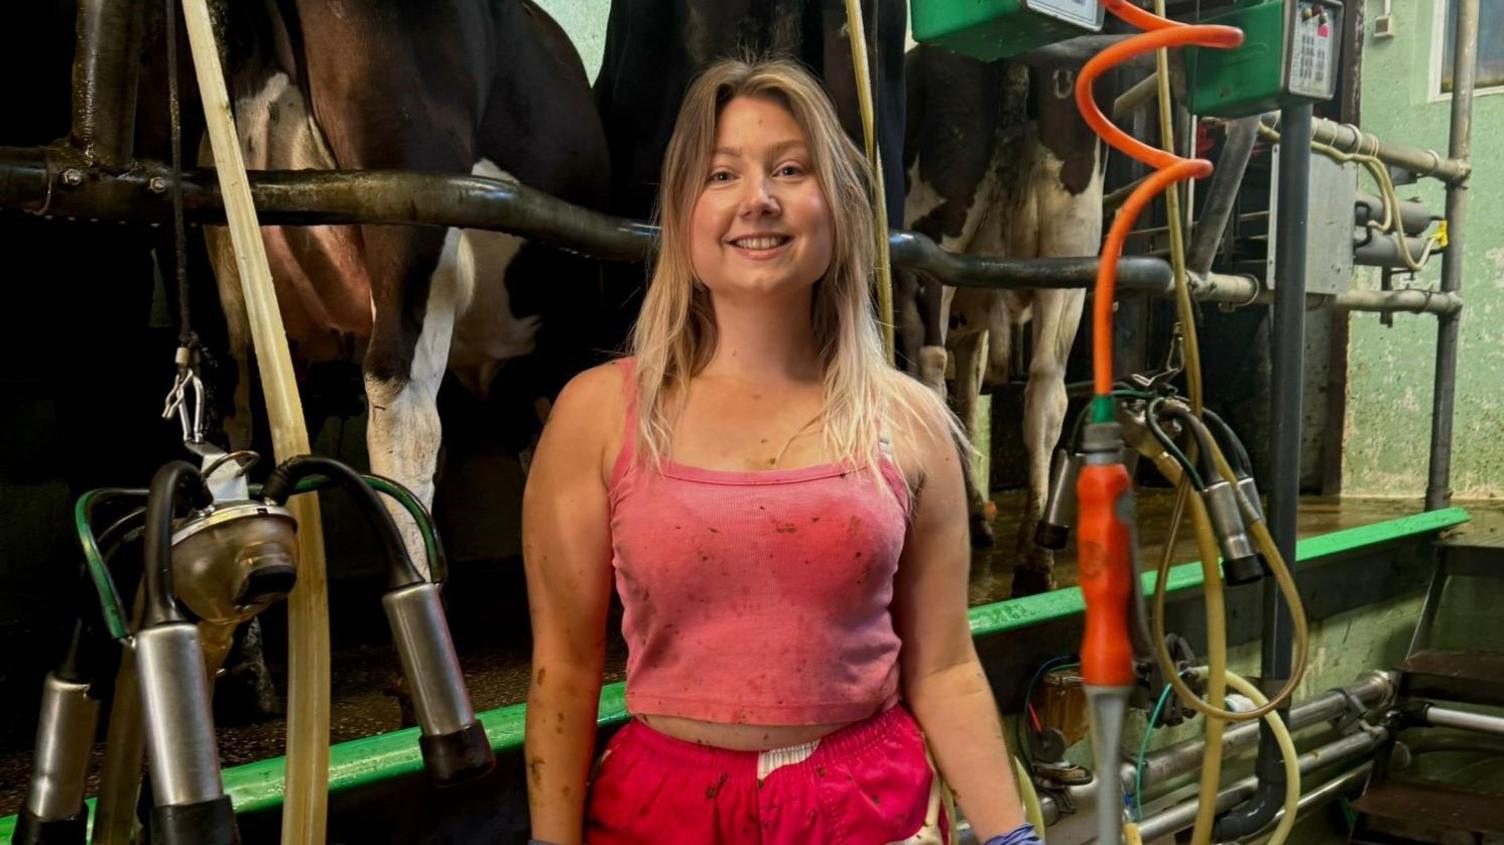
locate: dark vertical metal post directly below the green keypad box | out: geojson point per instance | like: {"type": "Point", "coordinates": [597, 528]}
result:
{"type": "Point", "coordinates": [1288, 344]}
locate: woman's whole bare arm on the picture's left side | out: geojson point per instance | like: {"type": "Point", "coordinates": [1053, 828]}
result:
{"type": "Point", "coordinates": [566, 551]}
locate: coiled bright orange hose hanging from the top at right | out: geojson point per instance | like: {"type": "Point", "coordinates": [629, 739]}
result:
{"type": "Point", "coordinates": [1169, 168]}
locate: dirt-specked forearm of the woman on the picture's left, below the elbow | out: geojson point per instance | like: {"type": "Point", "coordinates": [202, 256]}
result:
{"type": "Point", "coordinates": [563, 703]}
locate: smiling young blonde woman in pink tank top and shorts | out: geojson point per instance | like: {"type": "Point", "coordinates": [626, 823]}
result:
{"type": "Point", "coordinates": [784, 518]}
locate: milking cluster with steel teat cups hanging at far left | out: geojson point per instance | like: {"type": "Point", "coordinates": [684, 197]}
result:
{"type": "Point", "coordinates": [217, 553]}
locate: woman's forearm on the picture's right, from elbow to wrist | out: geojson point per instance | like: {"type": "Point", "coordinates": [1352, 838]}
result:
{"type": "Point", "coordinates": [959, 716]}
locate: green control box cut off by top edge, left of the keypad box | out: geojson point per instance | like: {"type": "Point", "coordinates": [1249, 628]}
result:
{"type": "Point", "coordinates": [999, 29]}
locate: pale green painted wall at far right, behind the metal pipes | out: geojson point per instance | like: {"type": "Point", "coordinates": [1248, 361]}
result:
{"type": "Point", "coordinates": [1390, 369]}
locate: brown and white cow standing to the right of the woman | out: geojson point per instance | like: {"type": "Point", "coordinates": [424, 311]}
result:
{"type": "Point", "coordinates": [999, 163]}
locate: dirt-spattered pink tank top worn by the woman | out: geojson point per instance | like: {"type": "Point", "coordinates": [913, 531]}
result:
{"type": "Point", "coordinates": [757, 598]}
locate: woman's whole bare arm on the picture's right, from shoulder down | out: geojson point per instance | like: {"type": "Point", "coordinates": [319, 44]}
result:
{"type": "Point", "coordinates": [942, 677]}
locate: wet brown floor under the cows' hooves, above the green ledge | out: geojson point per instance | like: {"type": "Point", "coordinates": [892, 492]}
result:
{"type": "Point", "coordinates": [494, 647]}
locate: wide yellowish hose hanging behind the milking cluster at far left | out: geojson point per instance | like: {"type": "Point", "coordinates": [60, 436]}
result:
{"type": "Point", "coordinates": [308, 780]}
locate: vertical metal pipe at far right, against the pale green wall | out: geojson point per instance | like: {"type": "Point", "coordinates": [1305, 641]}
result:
{"type": "Point", "coordinates": [1464, 76]}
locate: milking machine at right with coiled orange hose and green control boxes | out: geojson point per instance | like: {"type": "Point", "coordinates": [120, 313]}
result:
{"type": "Point", "coordinates": [1091, 488]}
